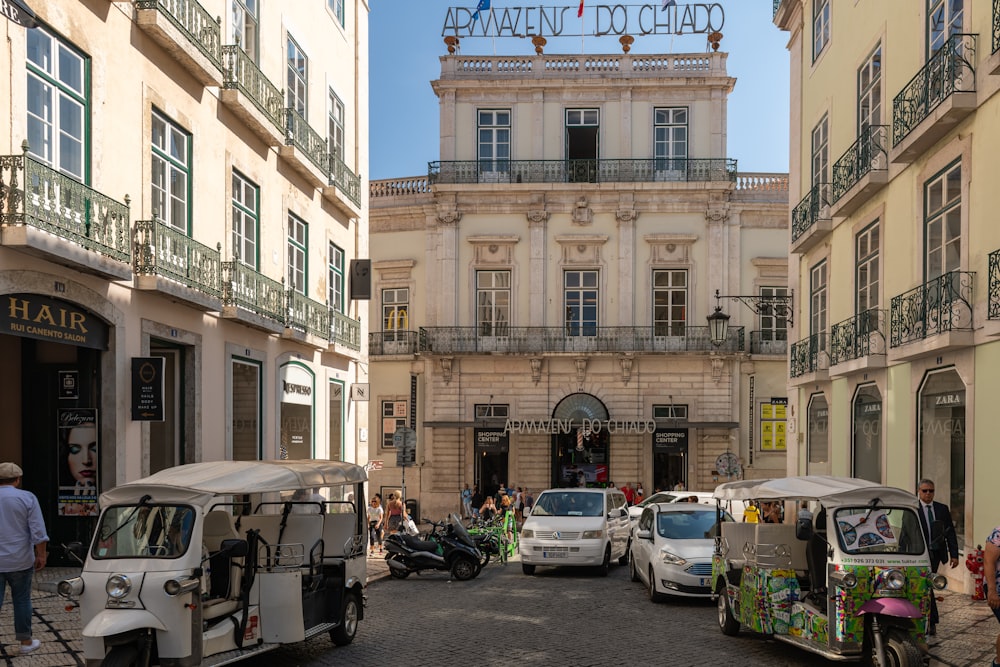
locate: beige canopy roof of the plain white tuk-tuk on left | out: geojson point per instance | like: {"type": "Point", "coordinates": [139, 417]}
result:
{"type": "Point", "coordinates": [198, 482]}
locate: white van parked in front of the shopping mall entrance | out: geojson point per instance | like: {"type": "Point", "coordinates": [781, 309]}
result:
{"type": "Point", "coordinates": [575, 527]}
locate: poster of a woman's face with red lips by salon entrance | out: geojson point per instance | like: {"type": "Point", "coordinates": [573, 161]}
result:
{"type": "Point", "coordinates": [77, 461]}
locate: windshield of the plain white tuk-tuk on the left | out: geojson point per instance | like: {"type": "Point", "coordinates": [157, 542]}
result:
{"type": "Point", "coordinates": [144, 531]}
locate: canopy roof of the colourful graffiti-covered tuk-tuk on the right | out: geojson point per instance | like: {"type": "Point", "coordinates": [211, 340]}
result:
{"type": "Point", "coordinates": [829, 491]}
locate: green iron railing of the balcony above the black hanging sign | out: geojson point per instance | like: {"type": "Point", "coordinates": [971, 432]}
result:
{"type": "Point", "coordinates": [161, 250]}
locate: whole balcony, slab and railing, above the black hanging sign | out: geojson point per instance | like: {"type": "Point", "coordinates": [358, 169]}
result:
{"type": "Point", "coordinates": [174, 264]}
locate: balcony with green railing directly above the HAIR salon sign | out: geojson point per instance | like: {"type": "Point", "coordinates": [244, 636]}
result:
{"type": "Point", "coordinates": [47, 214]}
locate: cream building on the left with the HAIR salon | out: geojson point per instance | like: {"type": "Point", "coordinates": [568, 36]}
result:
{"type": "Point", "coordinates": [181, 200]}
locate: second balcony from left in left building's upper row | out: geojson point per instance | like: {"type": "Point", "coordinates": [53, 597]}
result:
{"type": "Point", "coordinates": [252, 97]}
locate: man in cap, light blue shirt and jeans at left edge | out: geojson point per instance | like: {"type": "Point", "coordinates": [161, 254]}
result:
{"type": "Point", "coordinates": [22, 549]}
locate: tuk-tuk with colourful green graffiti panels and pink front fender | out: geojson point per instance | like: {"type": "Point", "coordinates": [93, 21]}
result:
{"type": "Point", "coordinates": [849, 579]}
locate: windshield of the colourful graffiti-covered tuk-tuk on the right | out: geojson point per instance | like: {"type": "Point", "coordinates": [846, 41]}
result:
{"type": "Point", "coordinates": [879, 530]}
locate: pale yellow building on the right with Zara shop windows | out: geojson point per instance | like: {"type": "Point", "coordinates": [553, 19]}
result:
{"type": "Point", "coordinates": [894, 245]}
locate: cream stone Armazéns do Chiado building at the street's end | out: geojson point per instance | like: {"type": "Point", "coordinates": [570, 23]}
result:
{"type": "Point", "coordinates": [540, 297]}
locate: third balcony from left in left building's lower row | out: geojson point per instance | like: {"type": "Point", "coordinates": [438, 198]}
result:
{"type": "Point", "coordinates": [252, 298]}
